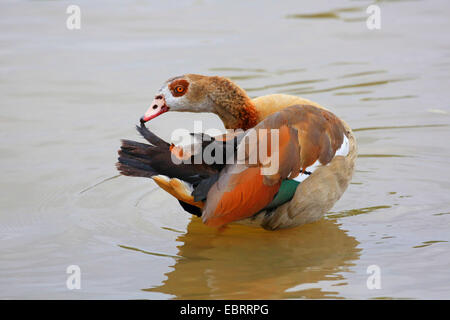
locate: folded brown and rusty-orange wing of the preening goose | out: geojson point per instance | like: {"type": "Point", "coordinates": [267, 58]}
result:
{"type": "Point", "coordinates": [287, 143]}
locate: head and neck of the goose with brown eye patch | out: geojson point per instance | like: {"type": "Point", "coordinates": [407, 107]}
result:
{"type": "Point", "coordinates": [198, 93]}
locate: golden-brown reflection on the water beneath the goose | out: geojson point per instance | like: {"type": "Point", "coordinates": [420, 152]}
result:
{"type": "Point", "coordinates": [251, 263]}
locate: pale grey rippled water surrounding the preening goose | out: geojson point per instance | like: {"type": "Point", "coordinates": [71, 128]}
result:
{"type": "Point", "coordinates": [67, 97]}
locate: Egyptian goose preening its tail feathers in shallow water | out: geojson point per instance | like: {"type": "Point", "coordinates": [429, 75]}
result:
{"type": "Point", "coordinates": [315, 155]}
